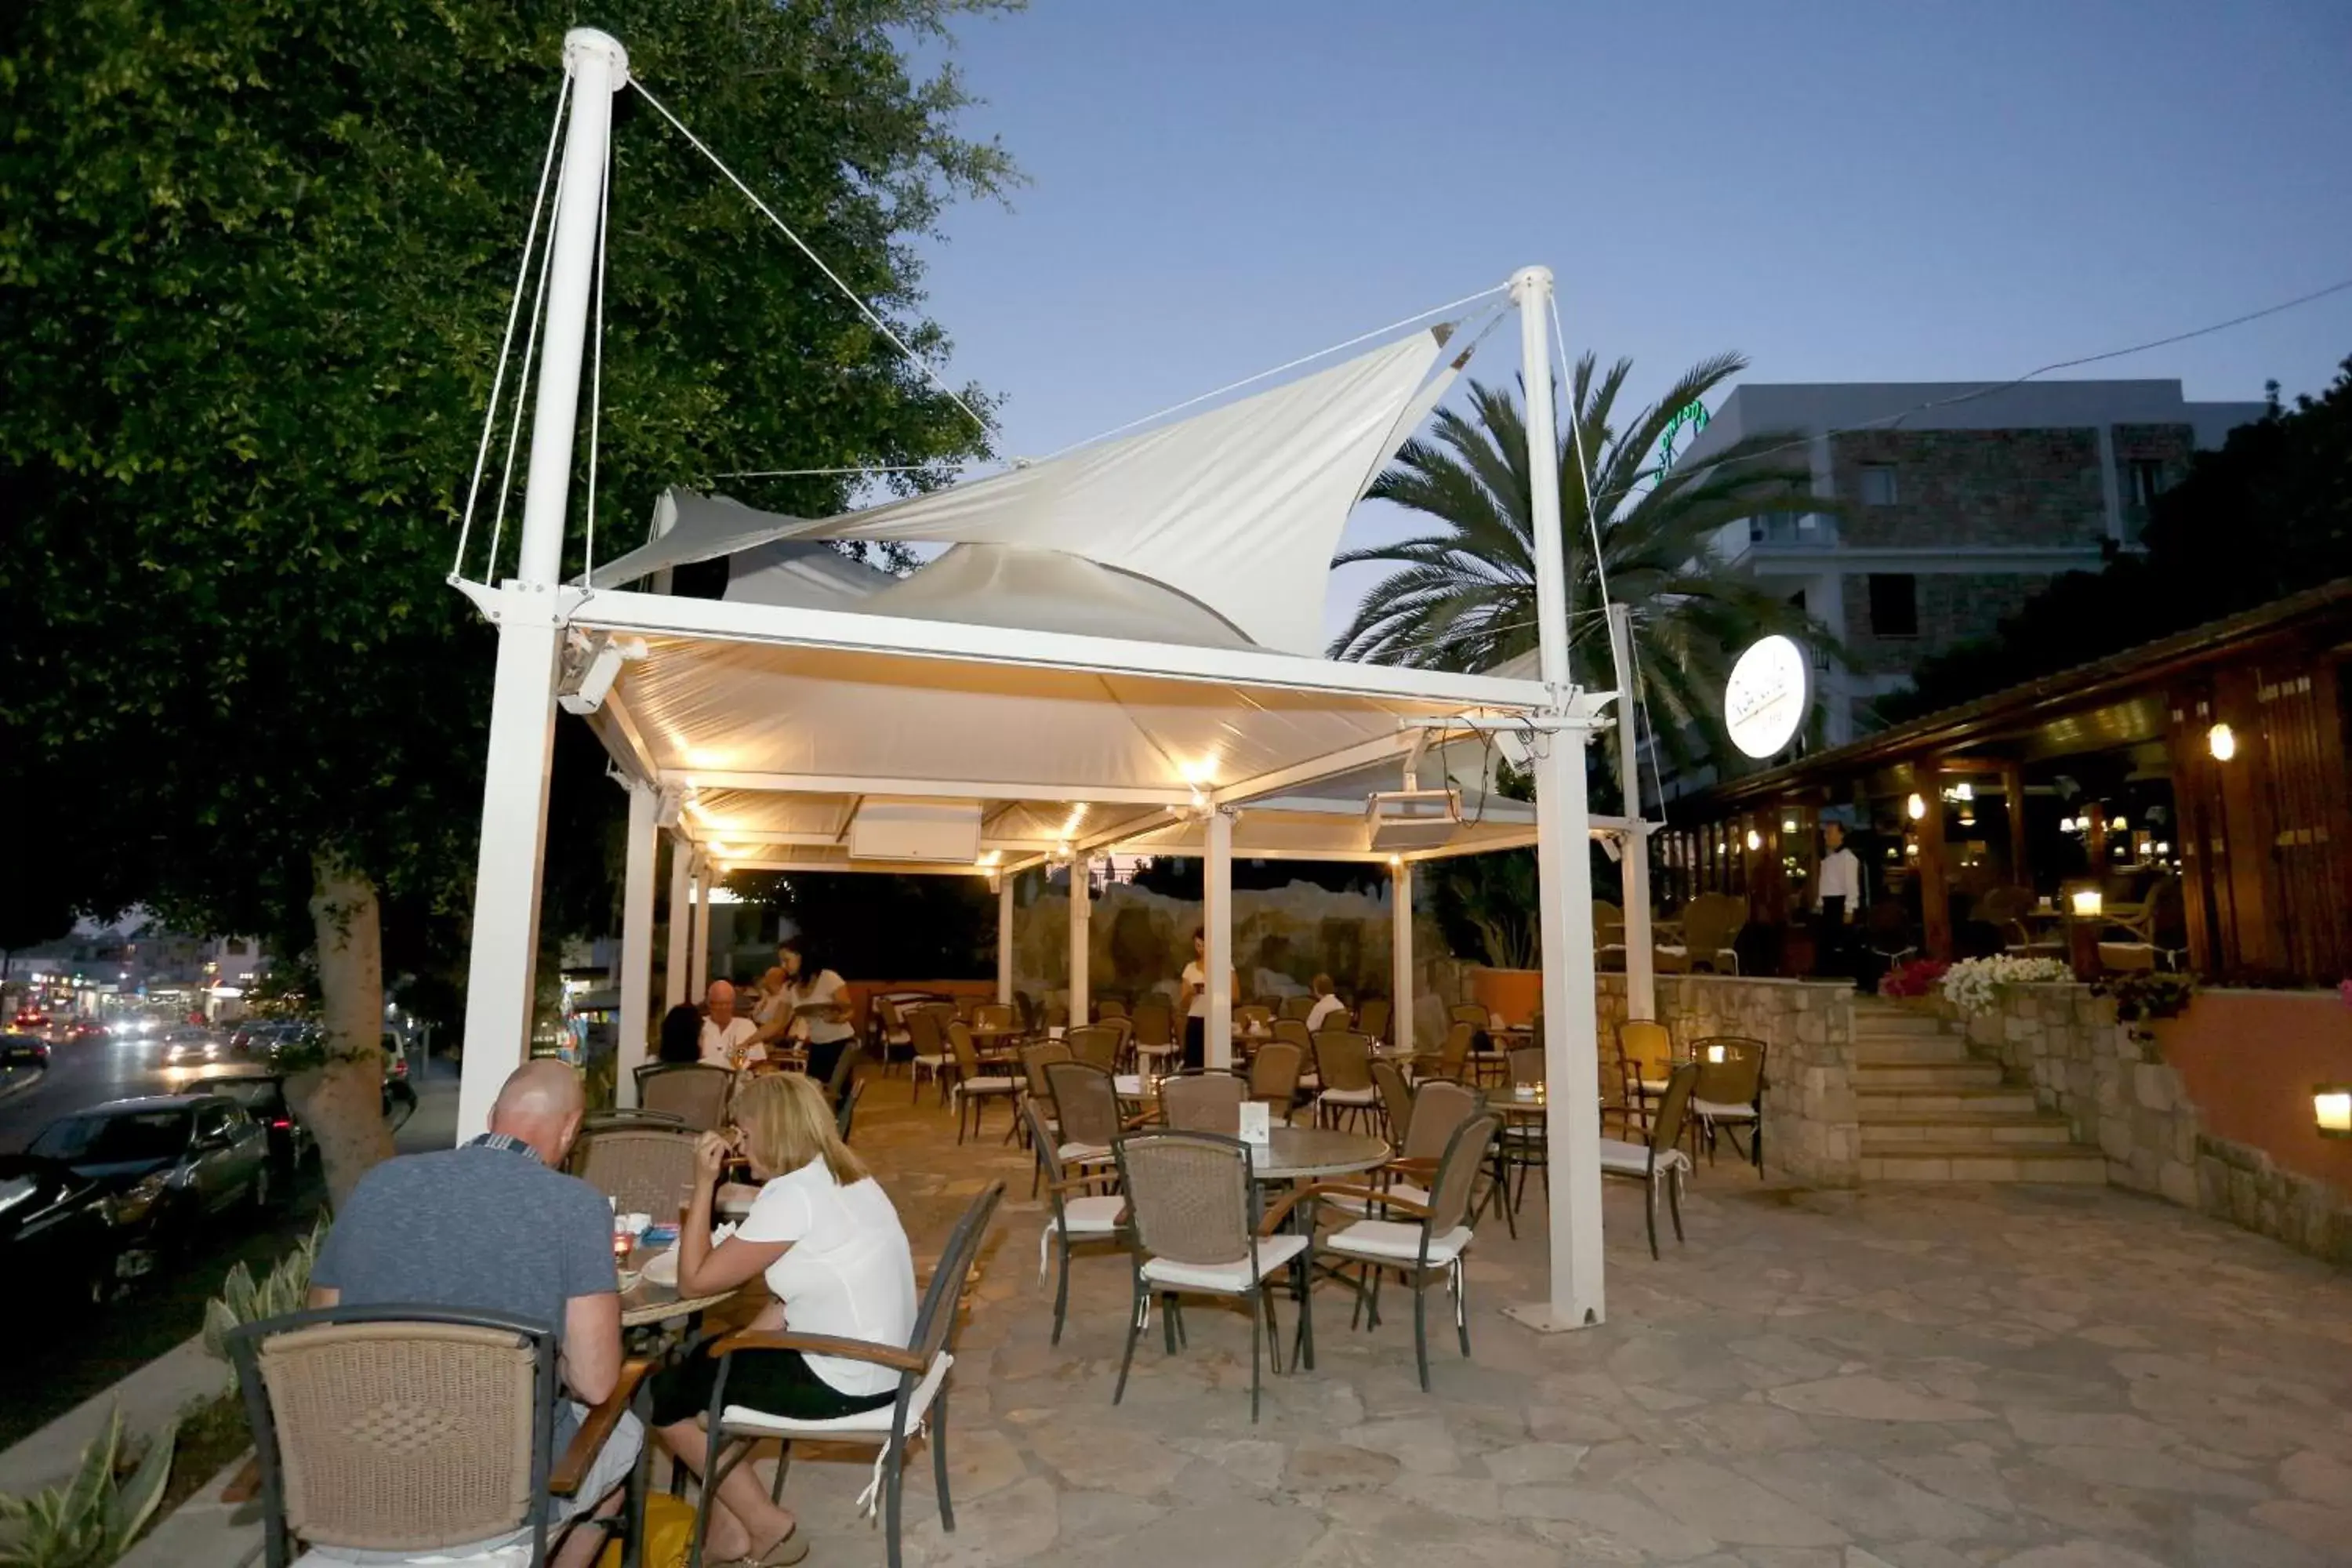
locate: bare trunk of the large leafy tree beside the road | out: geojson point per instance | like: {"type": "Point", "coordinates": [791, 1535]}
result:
{"type": "Point", "coordinates": [342, 1099]}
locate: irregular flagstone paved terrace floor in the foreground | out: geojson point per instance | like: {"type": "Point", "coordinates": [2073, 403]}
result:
{"type": "Point", "coordinates": [1927, 1379]}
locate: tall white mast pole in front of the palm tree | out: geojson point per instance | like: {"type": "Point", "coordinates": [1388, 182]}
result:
{"type": "Point", "coordinates": [1563, 869]}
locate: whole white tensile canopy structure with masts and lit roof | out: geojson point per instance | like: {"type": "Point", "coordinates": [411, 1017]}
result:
{"type": "Point", "coordinates": [1121, 643]}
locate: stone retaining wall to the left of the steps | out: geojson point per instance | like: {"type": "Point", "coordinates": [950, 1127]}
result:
{"type": "Point", "coordinates": [1812, 1118]}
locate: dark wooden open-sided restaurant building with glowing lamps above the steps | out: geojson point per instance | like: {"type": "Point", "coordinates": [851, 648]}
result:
{"type": "Point", "coordinates": [2181, 805]}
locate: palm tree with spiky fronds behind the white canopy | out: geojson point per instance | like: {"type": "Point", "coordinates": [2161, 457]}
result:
{"type": "Point", "coordinates": [1464, 596]}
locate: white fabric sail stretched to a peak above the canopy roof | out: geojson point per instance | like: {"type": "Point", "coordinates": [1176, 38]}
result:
{"type": "Point", "coordinates": [1236, 511]}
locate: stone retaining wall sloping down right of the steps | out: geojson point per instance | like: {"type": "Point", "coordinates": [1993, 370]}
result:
{"type": "Point", "coordinates": [2120, 1094]}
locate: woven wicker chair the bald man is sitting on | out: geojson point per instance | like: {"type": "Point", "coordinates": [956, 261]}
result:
{"type": "Point", "coordinates": [417, 1430]}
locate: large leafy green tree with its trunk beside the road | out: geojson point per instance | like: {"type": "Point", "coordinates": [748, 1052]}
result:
{"type": "Point", "coordinates": [255, 264]}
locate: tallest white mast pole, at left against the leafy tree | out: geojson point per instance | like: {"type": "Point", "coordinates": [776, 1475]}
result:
{"type": "Point", "coordinates": [502, 972]}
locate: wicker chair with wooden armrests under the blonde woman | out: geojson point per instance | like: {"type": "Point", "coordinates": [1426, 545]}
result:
{"type": "Point", "coordinates": [923, 1367]}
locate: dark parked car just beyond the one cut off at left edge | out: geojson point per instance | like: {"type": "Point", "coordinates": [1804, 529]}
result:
{"type": "Point", "coordinates": [166, 1162]}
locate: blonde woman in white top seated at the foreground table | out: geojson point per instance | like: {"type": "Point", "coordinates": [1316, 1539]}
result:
{"type": "Point", "coordinates": [831, 1247]}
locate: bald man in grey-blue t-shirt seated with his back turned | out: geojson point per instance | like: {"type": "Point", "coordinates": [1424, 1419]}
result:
{"type": "Point", "coordinates": [495, 1226]}
